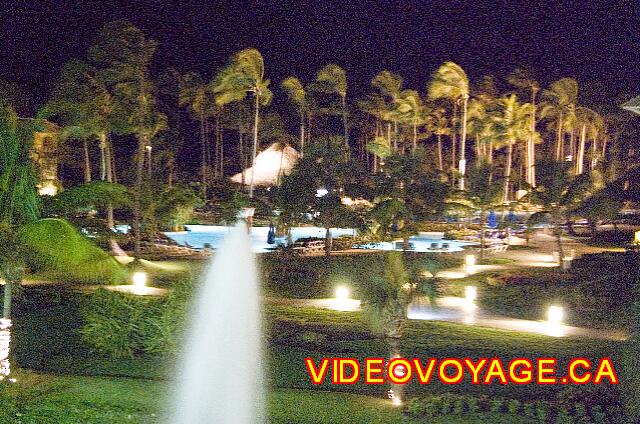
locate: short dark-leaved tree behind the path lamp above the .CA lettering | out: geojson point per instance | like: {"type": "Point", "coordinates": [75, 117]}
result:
{"type": "Point", "coordinates": [558, 192]}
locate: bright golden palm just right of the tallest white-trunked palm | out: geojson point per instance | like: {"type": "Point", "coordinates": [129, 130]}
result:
{"type": "Point", "coordinates": [512, 125]}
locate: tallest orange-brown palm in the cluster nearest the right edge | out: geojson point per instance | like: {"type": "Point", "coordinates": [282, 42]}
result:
{"type": "Point", "coordinates": [559, 104]}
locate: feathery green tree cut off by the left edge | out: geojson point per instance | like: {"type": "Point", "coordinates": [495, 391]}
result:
{"type": "Point", "coordinates": [19, 202]}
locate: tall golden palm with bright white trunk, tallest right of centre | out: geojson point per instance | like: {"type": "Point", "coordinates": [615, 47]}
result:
{"type": "Point", "coordinates": [450, 82]}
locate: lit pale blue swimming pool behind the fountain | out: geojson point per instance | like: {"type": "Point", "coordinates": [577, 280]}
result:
{"type": "Point", "coordinates": [197, 235]}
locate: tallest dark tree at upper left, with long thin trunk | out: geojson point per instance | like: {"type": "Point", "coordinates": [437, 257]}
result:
{"type": "Point", "coordinates": [122, 55]}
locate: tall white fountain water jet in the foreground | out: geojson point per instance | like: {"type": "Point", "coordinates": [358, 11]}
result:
{"type": "Point", "coordinates": [220, 377]}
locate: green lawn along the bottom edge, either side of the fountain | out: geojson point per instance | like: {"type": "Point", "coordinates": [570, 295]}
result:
{"type": "Point", "coordinates": [40, 398]}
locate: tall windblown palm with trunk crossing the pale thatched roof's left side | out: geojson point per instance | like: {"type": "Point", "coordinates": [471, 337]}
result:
{"type": "Point", "coordinates": [245, 74]}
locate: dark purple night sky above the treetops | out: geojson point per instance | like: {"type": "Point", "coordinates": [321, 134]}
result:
{"type": "Point", "coordinates": [595, 42]}
